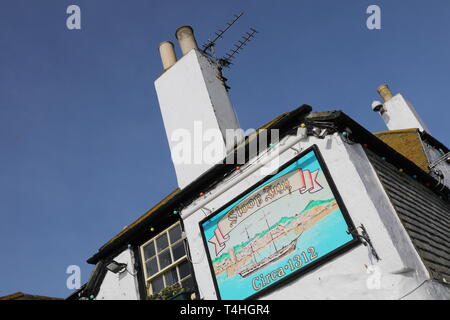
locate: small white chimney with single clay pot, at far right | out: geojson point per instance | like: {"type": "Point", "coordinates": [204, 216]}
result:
{"type": "Point", "coordinates": [397, 112]}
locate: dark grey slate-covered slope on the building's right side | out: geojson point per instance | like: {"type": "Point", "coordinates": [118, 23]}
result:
{"type": "Point", "coordinates": [423, 213]}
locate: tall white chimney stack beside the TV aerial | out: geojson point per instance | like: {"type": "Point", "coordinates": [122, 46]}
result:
{"type": "Point", "coordinates": [194, 101]}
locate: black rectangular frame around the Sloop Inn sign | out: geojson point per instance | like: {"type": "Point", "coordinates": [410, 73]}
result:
{"type": "Point", "coordinates": [313, 264]}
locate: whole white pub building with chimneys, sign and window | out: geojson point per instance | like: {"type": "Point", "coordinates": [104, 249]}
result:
{"type": "Point", "coordinates": [310, 206]}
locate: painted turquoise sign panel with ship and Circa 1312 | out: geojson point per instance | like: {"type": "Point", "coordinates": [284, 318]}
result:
{"type": "Point", "coordinates": [277, 229]}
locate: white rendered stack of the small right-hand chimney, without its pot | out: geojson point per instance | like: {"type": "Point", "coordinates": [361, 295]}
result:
{"type": "Point", "coordinates": [400, 114]}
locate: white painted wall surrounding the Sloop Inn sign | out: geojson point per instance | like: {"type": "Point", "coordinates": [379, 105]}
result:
{"type": "Point", "coordinates": [346, 276]}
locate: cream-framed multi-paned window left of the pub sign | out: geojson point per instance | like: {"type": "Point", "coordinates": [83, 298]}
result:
{"type": "Point", "coordinates": [165, 261]}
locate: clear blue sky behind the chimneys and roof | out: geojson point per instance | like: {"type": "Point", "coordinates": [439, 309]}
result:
{"type": "Point", "coordinates": [83, 150]}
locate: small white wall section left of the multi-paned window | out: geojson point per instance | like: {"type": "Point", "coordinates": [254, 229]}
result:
{"type": "Point", "coordinates": [120, 286]}
